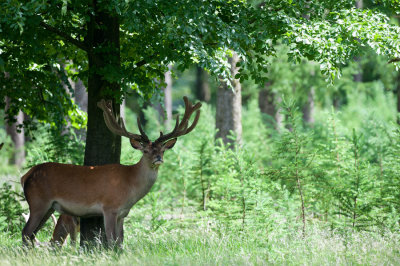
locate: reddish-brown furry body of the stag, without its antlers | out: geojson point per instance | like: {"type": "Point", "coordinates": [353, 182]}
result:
{"type": "Point", "coordinates": [108, 190]}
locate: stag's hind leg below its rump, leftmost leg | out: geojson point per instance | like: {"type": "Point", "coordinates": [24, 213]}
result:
{"type": "Point", "coordinates": [37, 218]}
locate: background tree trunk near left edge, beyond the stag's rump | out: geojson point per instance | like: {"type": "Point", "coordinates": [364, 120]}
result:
{"type": "Point", "coordinates": [17, 136]}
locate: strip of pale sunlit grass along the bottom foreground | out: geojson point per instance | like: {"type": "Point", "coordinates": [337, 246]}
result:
{"type": "Point", "coordinates": [202, 246]}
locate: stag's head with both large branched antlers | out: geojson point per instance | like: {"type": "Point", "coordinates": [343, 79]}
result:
{"type": "Point", "coordinates": [152, 151]}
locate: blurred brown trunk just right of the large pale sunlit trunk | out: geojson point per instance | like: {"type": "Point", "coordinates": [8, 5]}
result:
{"type": "Point", "coordinates": [267, 102]}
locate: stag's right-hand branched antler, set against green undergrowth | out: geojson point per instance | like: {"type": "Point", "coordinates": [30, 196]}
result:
{"type": "Point", "coordinates": [182, 128]}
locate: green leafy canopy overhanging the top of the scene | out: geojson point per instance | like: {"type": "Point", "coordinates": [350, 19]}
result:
{"type": "Point", "coordinates": [44, 43]}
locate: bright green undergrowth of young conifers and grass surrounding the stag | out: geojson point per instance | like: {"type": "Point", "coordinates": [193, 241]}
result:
{"type": "Point", "coordinates": [326, 194]}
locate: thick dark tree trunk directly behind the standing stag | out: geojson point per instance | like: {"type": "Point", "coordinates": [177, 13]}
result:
{"type": "Point", "coordinates": [102, 146]}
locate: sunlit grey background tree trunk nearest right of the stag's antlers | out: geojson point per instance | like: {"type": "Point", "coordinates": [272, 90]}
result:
{"type": "Point", "coordinates": [229, 108]}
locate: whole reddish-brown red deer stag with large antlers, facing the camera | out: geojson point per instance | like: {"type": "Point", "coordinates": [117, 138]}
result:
{"type": "Point", "coordinates": [107, 190]}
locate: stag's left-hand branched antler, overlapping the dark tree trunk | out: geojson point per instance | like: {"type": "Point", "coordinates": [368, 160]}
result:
{"type": "Point", "coordinates": [119, 129]}
